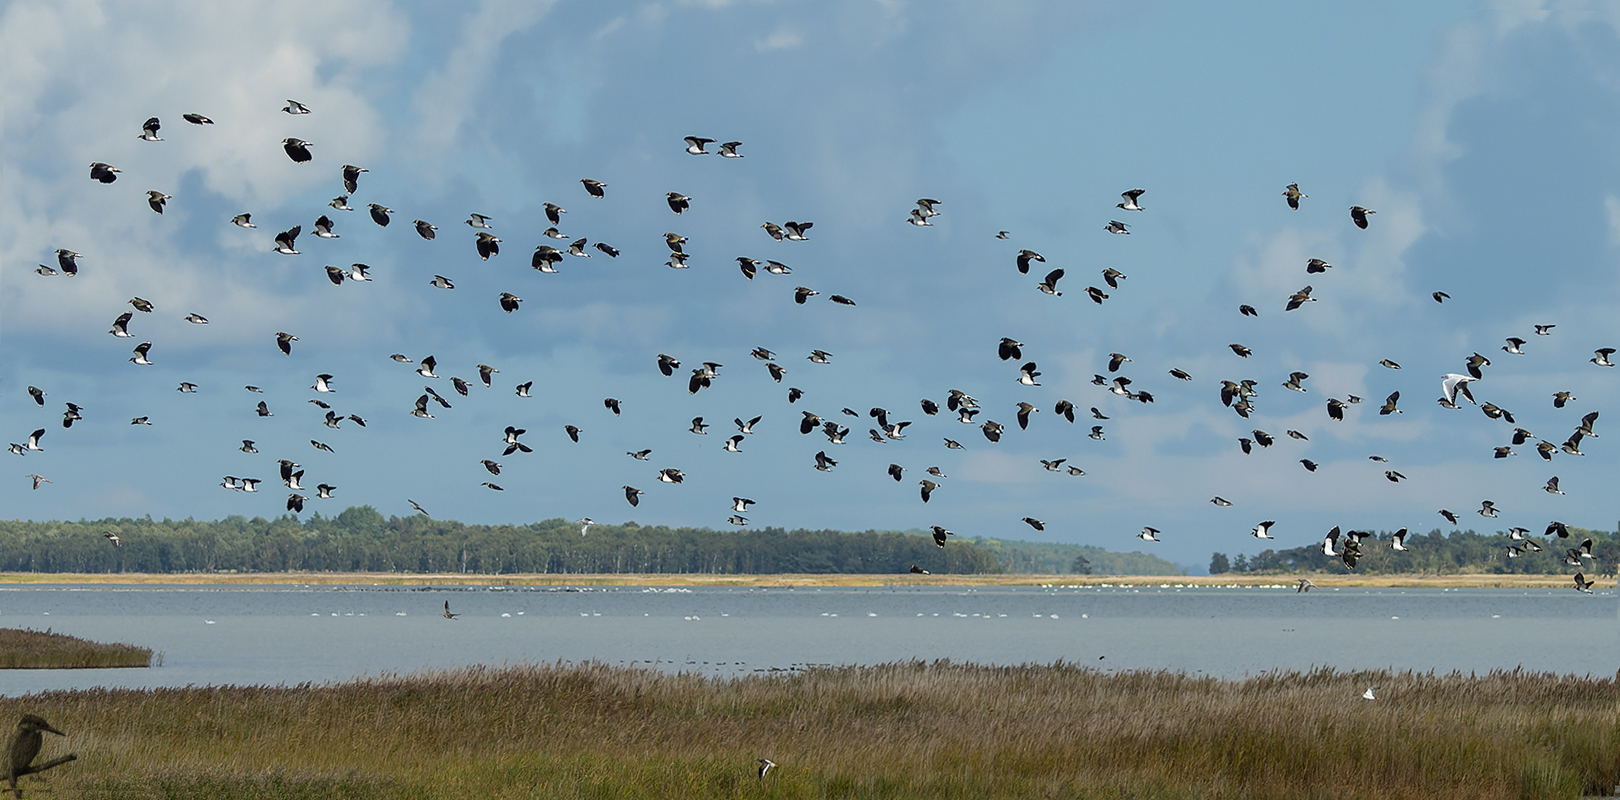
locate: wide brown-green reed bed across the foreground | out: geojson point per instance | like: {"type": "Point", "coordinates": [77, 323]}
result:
{"type": "Point", "coordinates": [895, 731]}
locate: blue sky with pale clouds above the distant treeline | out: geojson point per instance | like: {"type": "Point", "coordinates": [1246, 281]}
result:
{"type": "Point", "coordinates": [1480, 134]}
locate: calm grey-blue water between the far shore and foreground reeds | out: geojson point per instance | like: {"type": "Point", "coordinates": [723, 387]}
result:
{"type": "Point", "coordinates": [322, 634]}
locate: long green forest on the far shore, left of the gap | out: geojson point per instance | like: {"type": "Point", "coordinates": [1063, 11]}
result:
{"type": "Point", "coordinates": [362, 540]}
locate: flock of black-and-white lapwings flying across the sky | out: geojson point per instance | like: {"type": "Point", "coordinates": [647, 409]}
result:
{"type": "Point", "coordinates": [1238, 396]}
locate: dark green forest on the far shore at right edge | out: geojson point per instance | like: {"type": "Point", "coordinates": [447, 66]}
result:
{"type": "Point", "coordinates": [1439, 555]}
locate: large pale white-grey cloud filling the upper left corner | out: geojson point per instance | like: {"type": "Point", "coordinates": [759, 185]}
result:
{"type": "Point", "coordinates": [111, 67]}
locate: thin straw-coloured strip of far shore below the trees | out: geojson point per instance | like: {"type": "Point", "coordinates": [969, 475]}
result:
{"type": "Point", "coordinates": [364, 579]}
